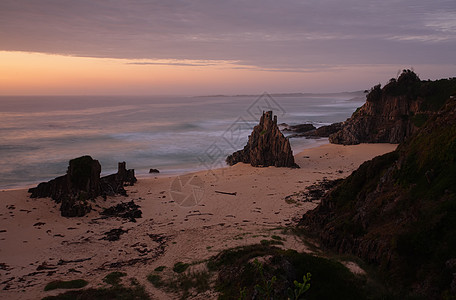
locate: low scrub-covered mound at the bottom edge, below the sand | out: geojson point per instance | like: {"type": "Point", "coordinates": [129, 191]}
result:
{"type": "Point", "coordinates": [266, 272]}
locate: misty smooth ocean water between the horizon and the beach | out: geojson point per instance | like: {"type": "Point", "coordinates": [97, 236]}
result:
{"type": "Point", "coordinates": [40, 134]}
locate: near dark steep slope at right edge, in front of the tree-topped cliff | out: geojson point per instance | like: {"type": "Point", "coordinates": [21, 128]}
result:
{"type": "Point", "coordinates": [393, 214]}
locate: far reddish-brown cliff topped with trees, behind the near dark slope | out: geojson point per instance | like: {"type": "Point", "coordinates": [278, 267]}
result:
{"type": "Point", "coordinates": [393, 113]}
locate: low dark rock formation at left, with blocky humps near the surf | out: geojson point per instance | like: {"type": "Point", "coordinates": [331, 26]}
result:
{"type": "Point", "coordinates": [82, 183]}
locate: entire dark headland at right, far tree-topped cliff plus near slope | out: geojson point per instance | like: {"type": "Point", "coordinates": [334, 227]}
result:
{"type": "Point", "coordinates": [398, 211]}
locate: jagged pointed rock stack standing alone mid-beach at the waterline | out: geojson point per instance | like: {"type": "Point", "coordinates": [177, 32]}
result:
{"type": "Point", "coordinates": [267, 146]}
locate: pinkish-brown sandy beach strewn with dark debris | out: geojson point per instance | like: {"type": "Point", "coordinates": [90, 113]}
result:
{"type": "Point", "coordinates": [235, 206]}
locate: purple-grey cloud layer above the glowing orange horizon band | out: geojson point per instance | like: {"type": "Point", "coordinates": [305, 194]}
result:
{"type": "Point", "coordinates": [288, 35]}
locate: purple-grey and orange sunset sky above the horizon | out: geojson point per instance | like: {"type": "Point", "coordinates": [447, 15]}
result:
{"type": "Point", "coordinates": [201, 47]}
